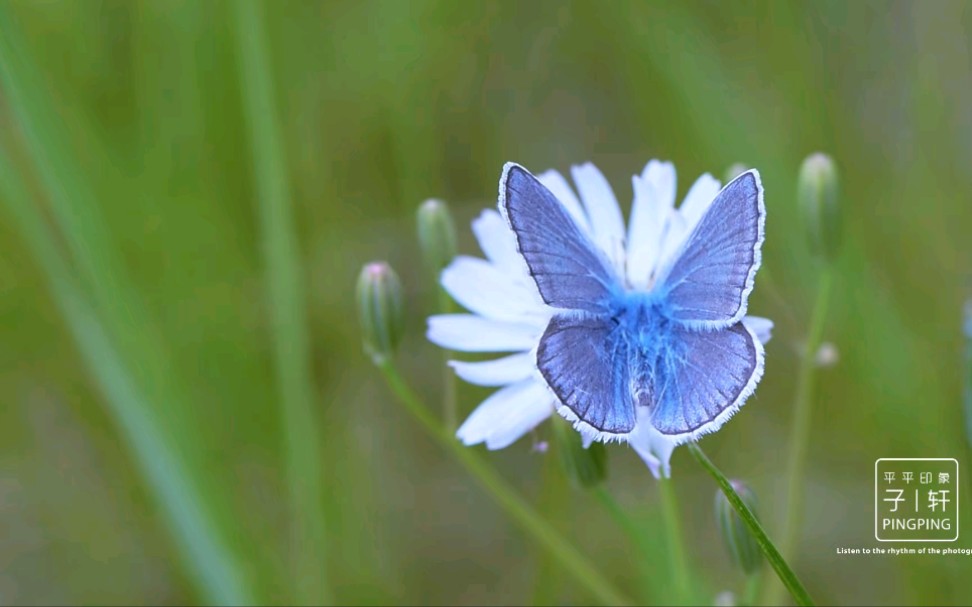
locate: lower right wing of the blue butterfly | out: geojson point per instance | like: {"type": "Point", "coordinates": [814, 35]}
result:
{"type": "Point", "coordinates": [703, 377]}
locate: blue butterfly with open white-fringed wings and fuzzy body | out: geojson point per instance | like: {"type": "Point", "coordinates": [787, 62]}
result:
{"type": "Point", "coordinates": [675, 348]}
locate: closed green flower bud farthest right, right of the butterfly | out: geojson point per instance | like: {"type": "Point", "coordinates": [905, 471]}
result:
{"type": "Point", "coordinates": [817, 194]}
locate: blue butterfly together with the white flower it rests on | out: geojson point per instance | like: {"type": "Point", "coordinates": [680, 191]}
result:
{"type": "Point", "coordinates": [641, 337]}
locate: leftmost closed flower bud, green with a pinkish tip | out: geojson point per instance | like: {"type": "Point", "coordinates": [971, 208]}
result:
{"type": "Point", "coordinates": [381, 310]}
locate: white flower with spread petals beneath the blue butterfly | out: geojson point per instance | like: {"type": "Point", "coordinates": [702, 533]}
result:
{"type": "Point", "coordinates": [508, 314]}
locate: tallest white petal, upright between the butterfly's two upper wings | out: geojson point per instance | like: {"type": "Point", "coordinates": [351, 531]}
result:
{"type": "Point", "coordinates": [654, 198]}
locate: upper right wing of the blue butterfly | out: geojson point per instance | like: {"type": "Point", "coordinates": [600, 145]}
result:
{"type": "Point", "coordinates": [708, 284]}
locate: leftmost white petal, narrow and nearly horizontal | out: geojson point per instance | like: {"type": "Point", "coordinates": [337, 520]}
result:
{"type": "Point", "coordinates": [470, 333]}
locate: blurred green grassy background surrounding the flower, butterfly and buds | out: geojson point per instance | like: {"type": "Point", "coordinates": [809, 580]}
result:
{"type": "Point", "coordinates": [156, 308]}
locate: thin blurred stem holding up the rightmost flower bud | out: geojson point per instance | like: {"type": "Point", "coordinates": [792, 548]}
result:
{"type": "Point", "coordinates": [800, 432]}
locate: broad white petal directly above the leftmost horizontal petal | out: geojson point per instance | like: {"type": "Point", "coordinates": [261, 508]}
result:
{"type": "Point", "coordinates": [481, 287]}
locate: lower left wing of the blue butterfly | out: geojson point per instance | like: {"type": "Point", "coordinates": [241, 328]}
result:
{"type": "Point", "coordinates": [587, 363]}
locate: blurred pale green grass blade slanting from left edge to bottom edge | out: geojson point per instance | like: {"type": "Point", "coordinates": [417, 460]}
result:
{"type": "Point", "coordinates": [211, 564]}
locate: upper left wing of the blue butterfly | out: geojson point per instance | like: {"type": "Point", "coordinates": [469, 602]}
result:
{"type": "Point", "coordinates": [569, 271]}
